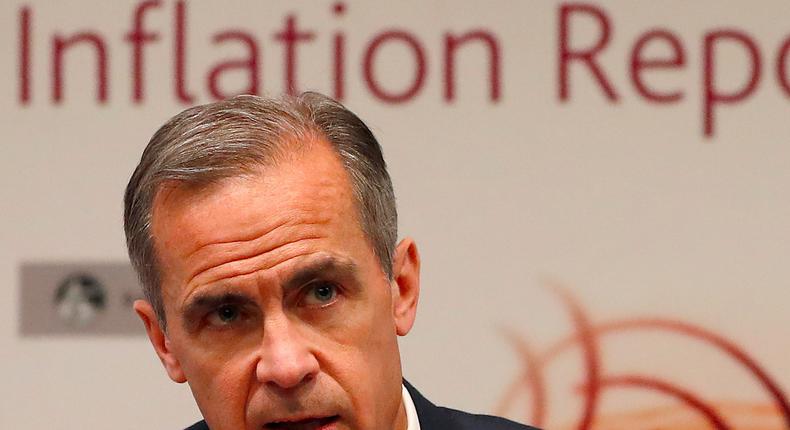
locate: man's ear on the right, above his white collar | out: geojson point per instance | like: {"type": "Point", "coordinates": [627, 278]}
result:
{"type": "Point", "coordinates": [406, 285]}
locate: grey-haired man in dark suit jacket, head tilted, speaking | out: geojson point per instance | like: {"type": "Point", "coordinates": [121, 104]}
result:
{"type": "Point", "coordinates": [264, 234]}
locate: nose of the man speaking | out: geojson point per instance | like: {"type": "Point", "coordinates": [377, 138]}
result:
{"type": "Point", "coordinates": [286, 359]}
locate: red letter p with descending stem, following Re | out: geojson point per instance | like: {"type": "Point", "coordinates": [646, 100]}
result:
{"type": "Point", "coordinates": [711, 95]}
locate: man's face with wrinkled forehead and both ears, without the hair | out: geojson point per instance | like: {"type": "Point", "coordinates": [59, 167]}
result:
{"type": "Point", "coordinates": [279, 314]}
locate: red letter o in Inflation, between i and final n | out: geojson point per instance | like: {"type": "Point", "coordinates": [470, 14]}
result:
{"type": "Point", "coordinates": [419, 58]}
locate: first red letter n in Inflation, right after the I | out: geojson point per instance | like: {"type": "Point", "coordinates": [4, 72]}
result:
{"type": "Point", "coordinates": [60, 44]}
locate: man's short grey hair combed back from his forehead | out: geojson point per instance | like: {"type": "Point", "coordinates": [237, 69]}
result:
{"type": "Point", "coordinates": [211, 142]}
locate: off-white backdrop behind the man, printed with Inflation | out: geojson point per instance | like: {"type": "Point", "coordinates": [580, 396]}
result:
{"type": "Point", "coordinates": [627, 204]}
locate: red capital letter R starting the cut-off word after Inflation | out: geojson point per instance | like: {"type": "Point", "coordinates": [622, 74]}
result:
{"type": "Point", "coordinates": [585, 56]}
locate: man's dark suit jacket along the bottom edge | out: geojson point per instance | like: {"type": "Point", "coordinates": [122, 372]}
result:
{"type": "Point", "coordinates": [433, 417]}
